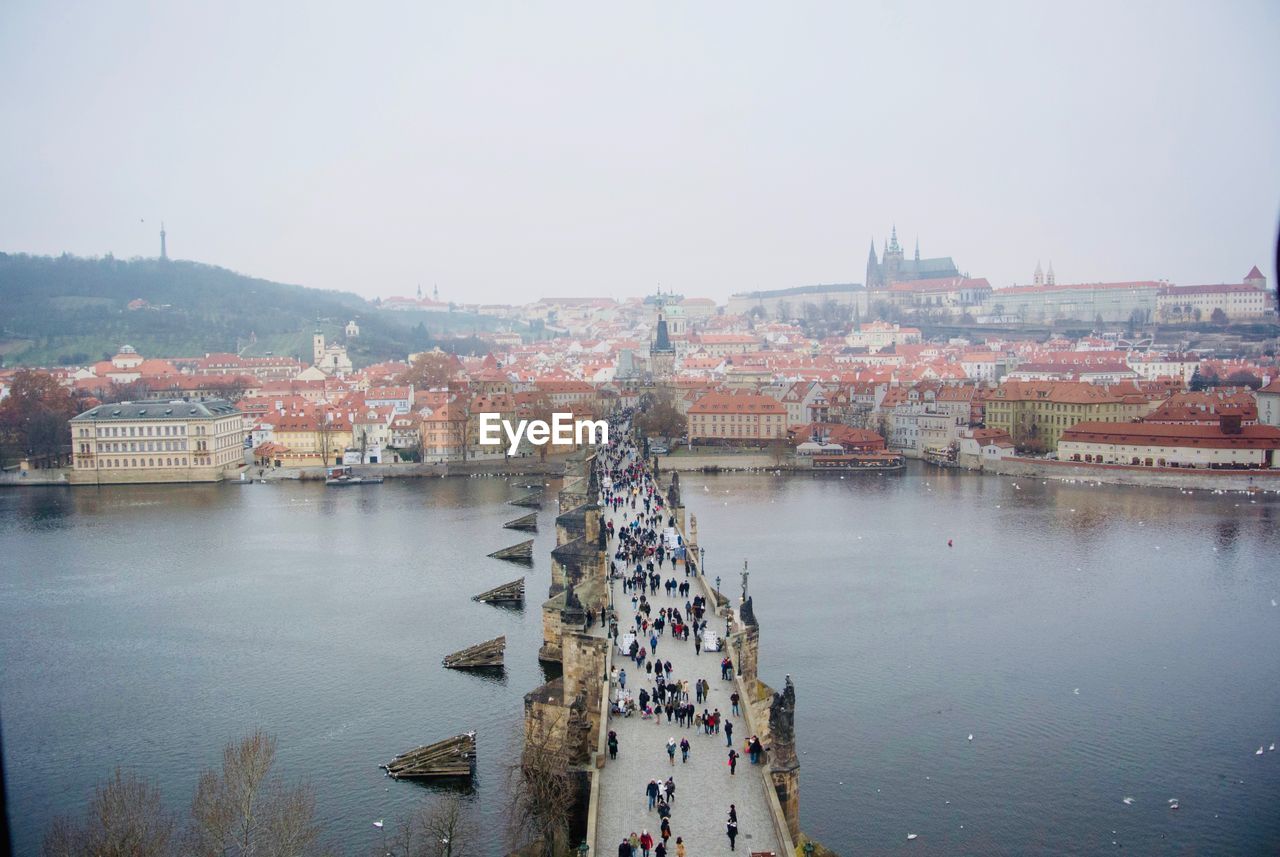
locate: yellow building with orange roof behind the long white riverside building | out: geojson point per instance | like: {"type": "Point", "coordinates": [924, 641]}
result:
{"type": "Point", "coordinates": [1036, 414]}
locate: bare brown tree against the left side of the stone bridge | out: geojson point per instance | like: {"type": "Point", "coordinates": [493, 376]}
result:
{"type": "Point", "coordinates": [543, 794]}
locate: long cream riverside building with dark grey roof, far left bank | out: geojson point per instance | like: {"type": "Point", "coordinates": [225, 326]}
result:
{"type": "Point", "coordinates": [158, 442]}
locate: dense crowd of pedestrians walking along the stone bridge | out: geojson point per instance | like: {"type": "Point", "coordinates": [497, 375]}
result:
{"type": "Point", "coordinates": [644, 544]}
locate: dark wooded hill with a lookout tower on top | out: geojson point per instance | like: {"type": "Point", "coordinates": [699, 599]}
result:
{"type": "Point", "coordinates": [68, 310]}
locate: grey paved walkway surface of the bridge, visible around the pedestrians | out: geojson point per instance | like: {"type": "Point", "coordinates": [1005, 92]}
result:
{"type": "Point", "coordinates": [705, 787]}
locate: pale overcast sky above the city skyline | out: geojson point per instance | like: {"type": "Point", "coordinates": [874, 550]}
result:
{"type": "Point", "coordinates": [511, 152]}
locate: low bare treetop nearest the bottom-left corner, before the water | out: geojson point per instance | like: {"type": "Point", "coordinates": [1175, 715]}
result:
{"type": "Point", "coordinates": [126, 819]}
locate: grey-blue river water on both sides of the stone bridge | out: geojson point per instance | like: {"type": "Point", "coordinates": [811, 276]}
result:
{"type": "Point", "coordinates": [1099, 643]}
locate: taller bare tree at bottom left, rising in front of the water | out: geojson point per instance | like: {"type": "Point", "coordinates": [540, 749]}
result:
{"type": "Point", "coordinates": [243, 812]}
